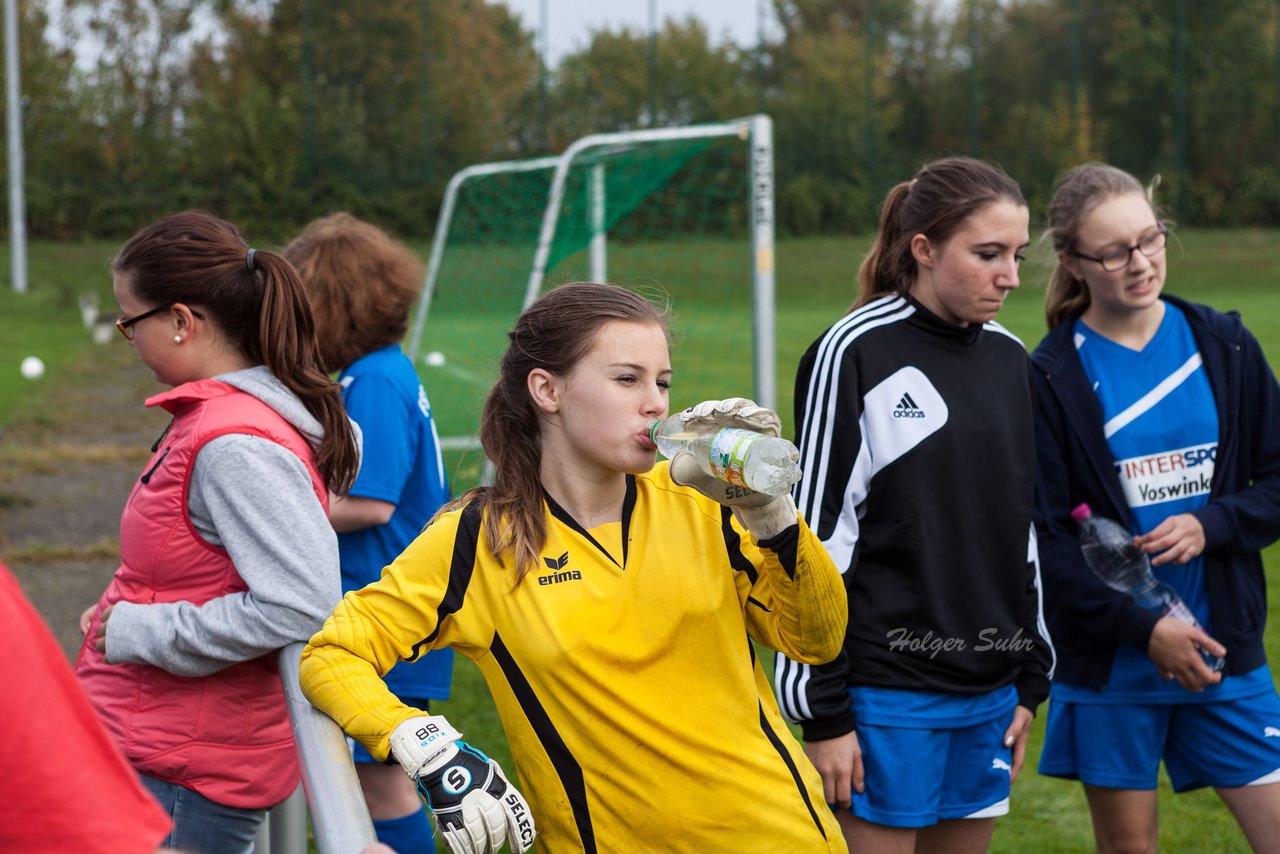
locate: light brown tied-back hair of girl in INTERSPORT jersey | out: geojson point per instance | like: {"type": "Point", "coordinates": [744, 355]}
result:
{"type": "Point", "coordinates": [1078, 193]}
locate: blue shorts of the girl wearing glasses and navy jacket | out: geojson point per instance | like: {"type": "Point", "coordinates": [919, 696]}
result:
{"type": "Point", "coordinates": [1228, 745]}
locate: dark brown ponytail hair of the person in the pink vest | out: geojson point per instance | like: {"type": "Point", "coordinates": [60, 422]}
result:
{"type": "Point", "coordinates": [202, 261]}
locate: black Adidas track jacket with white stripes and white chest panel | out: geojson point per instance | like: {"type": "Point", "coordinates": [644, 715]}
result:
{"type": "Point", "coordinates": [917, 445]}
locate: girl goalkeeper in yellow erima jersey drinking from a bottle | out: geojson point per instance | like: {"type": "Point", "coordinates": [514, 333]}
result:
{"type": "Point", "coordinates": [611, 606]}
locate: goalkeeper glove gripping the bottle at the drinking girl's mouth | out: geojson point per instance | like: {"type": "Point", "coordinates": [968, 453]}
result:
{"type": "Point", "coordinates": [764, 515]}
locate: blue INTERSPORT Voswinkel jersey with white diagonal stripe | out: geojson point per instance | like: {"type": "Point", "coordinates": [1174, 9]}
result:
{"type": "Point", "coordinates": [1160, 422]}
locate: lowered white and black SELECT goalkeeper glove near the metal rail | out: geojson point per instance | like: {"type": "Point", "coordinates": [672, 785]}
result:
{"type": "Point", "coordinates": [473, 805]}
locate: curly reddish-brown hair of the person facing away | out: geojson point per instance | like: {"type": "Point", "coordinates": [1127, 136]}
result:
{"type": "Point", "coordinates": [362, 284]}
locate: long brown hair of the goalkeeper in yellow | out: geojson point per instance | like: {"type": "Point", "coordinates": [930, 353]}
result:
{"type": "Point", "coordinates": [555, 334]}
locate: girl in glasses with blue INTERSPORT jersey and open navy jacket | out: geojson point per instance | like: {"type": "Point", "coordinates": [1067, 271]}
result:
{"type": "Point", "coordinates": [1163, 415]}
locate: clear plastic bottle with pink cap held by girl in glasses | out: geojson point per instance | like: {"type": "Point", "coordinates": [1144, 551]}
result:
{"type": "Point", "coordinates": [1122, 565]}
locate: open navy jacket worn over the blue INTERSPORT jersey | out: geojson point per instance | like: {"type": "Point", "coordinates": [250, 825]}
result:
{"type": "Point", "coordinates": [1075, 465]}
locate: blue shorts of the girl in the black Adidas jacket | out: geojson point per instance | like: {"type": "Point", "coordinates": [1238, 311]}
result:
{"type": "Point", "coordinates": [917, 778]}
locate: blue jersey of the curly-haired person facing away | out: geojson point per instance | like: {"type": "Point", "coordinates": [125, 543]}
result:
{"type": "Point", "coordinates": [401, 465]}
